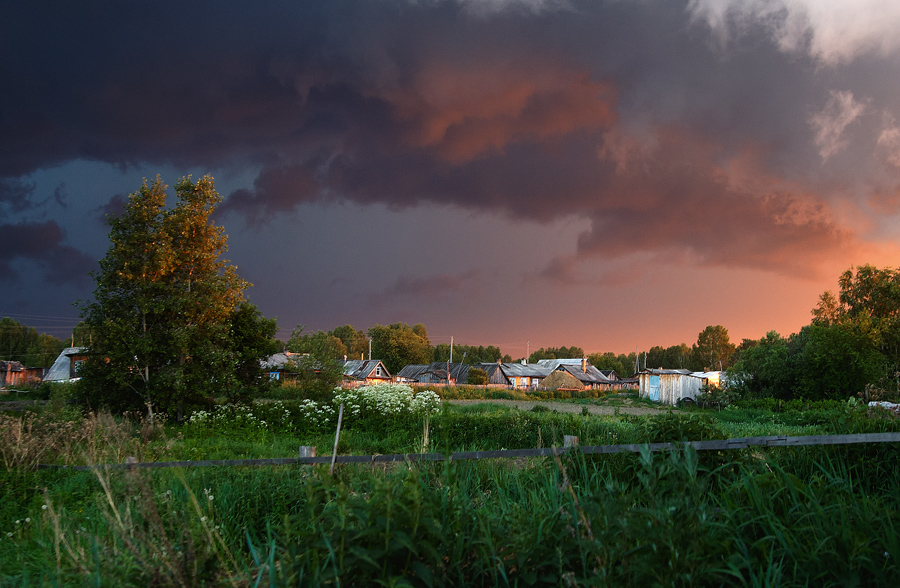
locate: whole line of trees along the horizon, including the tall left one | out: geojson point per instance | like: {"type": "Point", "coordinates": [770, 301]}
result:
{"type": "Point", "coordinates": [170, 328]}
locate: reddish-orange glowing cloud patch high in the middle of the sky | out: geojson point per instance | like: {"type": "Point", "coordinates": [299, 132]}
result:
{"type": "Point", "coordinates": [464, 111]}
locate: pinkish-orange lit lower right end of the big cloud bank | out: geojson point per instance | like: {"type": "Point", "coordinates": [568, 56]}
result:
{"type": "Point", "coordinates": [681, 193]}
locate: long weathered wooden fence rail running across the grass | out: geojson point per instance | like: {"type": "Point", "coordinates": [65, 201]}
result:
{"type": "Point", "coordinates": [714, 445]}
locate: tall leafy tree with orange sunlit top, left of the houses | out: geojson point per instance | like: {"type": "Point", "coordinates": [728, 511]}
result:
{"type": "Point", "coordinates": [168, 319]}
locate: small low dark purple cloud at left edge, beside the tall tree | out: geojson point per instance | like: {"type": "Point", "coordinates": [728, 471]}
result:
{"type": "Point", "coordinates": [39, 245]}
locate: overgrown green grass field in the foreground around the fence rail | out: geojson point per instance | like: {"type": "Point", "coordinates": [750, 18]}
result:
{"type": "Point", "coordinates": [762, 517]}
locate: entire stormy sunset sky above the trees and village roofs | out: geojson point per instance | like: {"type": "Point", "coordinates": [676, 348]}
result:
{"type": "Point", "coordinates": [523, 173]}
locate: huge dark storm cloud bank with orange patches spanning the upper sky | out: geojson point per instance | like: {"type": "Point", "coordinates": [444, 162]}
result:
{"type": "Point", "coordinates": [635, 115]}
